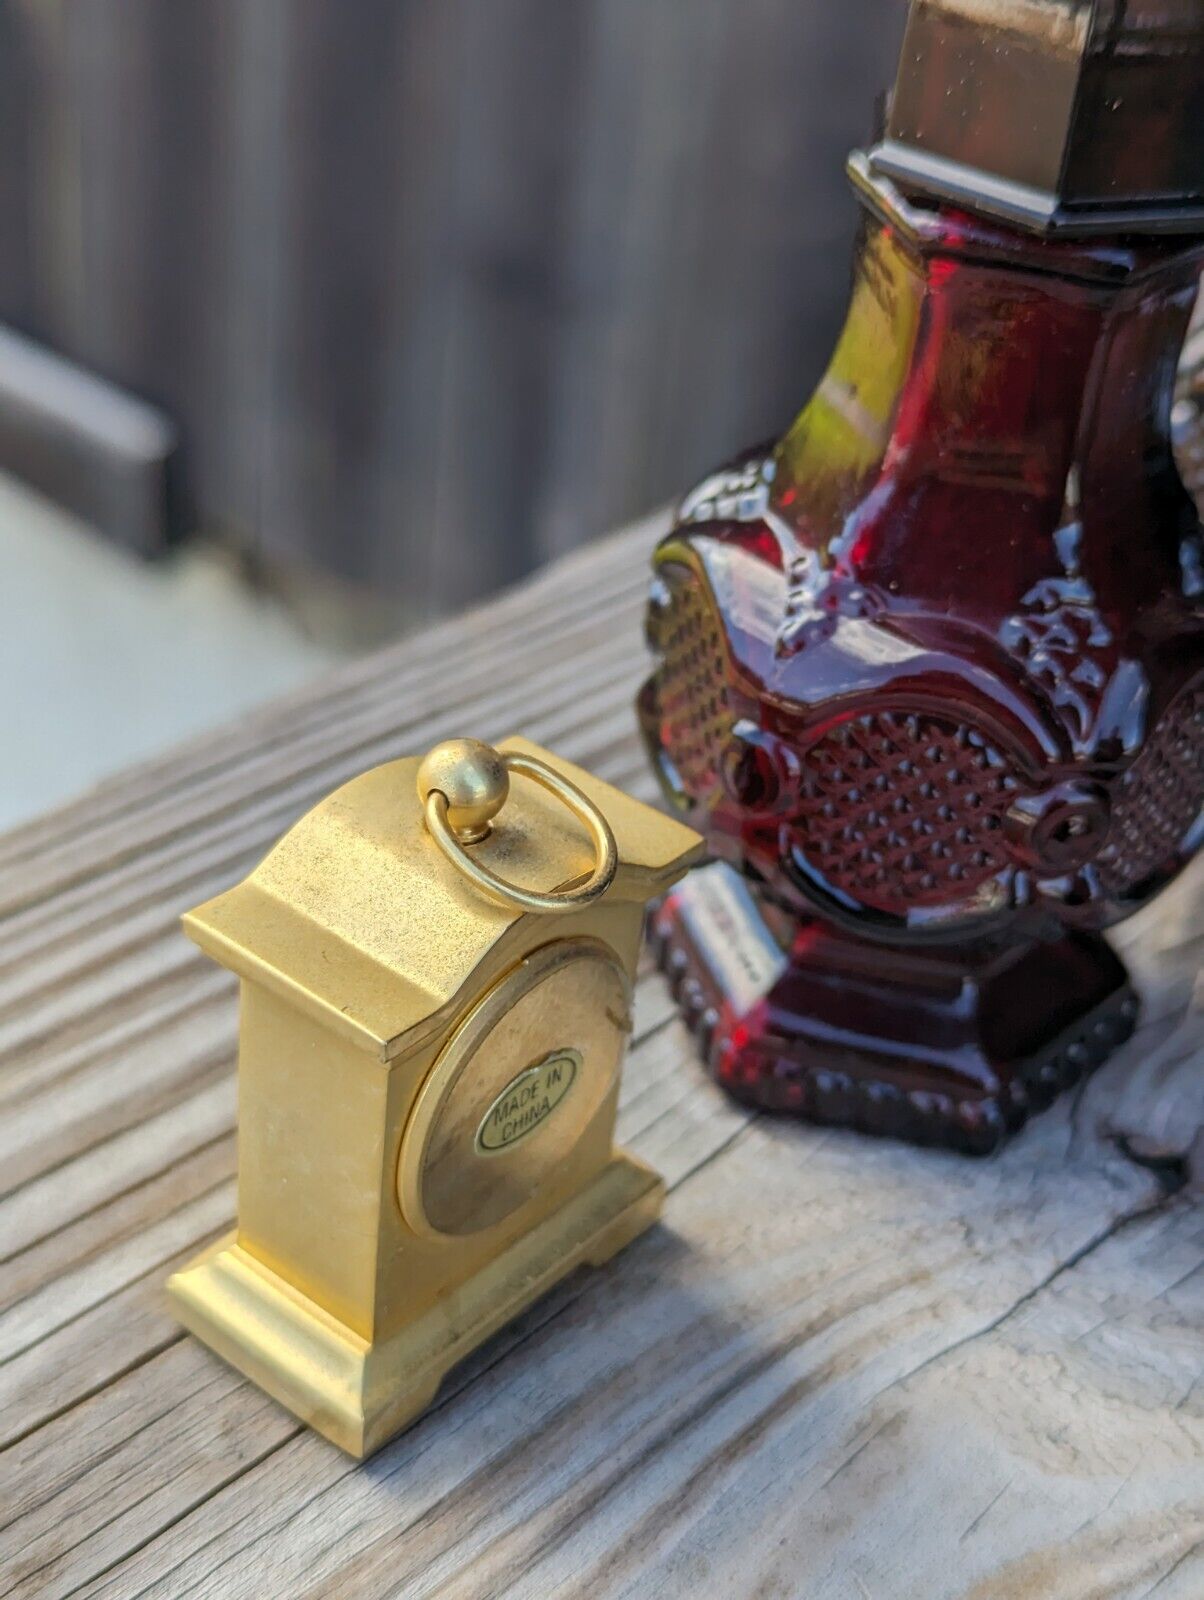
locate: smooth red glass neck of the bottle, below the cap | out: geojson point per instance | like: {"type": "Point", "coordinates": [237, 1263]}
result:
{"type": "Point", "coordinates": [995, 386]}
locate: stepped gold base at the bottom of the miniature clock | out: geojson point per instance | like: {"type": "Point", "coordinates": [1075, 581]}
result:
{"type": "Point", "coordinates": [361, 1394]}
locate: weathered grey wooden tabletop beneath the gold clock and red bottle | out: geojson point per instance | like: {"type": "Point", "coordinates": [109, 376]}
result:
{"type": "Point", "coordinates": [840, 1369]}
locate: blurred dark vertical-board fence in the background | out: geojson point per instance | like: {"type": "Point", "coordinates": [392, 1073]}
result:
{"type": "Point", "coordinates": [436, 289]}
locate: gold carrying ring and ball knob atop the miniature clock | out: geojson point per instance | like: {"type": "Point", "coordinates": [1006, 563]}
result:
{"type": "Point", "coordinates": [465, 783]}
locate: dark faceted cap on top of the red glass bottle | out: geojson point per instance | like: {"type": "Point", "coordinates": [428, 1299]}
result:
{"type": "Point", "coordinates": [1075, 116]}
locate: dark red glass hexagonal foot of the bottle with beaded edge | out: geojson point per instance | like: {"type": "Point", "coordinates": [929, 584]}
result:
{"type": "Point", "coordinates": [950, 1047]}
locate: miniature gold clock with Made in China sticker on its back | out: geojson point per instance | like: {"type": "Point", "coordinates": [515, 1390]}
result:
{"type": "Point", "coordinates": [436, 996]}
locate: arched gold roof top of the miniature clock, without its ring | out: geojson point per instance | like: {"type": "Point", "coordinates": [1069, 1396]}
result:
{"type": "Point", "coordinates": [358, 918]}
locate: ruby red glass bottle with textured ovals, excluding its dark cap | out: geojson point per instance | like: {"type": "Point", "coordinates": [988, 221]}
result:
{"type": "Point", "coordinates": [931, 679]}
